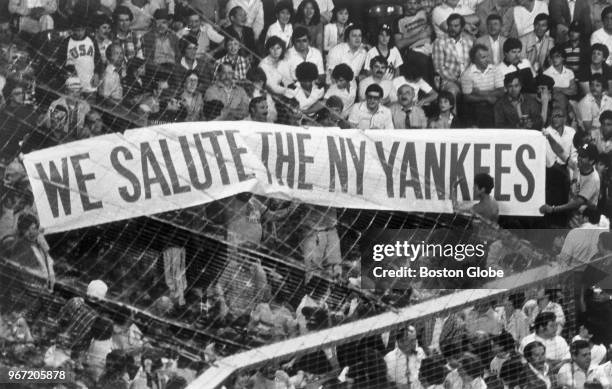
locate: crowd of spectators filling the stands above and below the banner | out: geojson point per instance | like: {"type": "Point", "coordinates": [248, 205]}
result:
{"type": "Point", "coordinates": [525, 64]}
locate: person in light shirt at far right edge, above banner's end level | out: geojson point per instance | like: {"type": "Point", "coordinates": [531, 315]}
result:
{"type": "Point", "coordinates": [592, 106]}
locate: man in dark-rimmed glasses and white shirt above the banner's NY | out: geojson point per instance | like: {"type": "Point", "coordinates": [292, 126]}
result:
{"type": "Point", "coordinates": [371, 114]}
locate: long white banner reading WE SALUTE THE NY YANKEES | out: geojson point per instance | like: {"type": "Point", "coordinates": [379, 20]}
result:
{"type": "Point", "coordinates": [163, 168]}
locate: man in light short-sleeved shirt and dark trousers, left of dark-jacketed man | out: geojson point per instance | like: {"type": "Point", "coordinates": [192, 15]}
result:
{"type": "Point", "coordinates": [481, 84]}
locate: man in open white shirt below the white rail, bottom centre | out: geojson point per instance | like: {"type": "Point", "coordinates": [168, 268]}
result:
{"type": "Point", "coordinates": [404, 362]}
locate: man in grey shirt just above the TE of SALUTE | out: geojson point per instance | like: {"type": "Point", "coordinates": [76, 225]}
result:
{"type": "Point", "coordinates": [234, 98]}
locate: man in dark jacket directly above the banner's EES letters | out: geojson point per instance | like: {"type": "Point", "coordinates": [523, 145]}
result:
{"type": "Point", "coordinates": [516, 109]}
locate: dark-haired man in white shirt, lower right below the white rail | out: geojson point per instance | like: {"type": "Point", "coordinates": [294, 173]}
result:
{"type": "Point", "coordinates": [555, 347]}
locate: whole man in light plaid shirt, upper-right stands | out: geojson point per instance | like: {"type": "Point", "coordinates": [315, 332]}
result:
{"type": "Point", "coordinates": [451, 54]}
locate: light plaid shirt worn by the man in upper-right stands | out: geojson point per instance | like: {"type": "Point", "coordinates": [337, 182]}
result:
{"type": "Point", "coordinates": [448, 62]}
